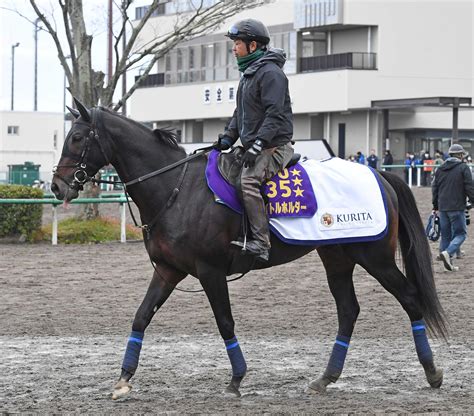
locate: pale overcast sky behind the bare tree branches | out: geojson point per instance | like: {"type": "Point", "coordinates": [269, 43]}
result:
{"type": "Point", "coordinates": [14, 28]}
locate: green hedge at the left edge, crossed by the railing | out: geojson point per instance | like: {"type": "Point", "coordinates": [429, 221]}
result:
{"type": "Point", "coordinates": [20, 220]}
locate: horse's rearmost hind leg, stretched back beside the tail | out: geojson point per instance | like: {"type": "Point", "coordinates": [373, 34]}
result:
{"type": "Point", "coordinates": [387, 273]}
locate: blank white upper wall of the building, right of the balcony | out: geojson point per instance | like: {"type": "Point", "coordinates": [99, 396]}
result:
{"type": "Point", "coordinates": [419, 38]}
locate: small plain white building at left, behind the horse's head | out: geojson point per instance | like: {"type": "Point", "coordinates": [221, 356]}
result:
{"type": "Point", "coordinates": [30, 136]}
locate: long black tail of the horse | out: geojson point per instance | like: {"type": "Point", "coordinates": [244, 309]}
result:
{"type": "Point", "coordinates": [416, 255]}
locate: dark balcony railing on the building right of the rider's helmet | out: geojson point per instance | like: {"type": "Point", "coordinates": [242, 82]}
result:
{"type": "Point", "coordinates": [349, 60]}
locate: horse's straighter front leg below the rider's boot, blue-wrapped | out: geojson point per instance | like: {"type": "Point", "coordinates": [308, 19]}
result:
{"type": "Point", "coordinates": [214, 283]}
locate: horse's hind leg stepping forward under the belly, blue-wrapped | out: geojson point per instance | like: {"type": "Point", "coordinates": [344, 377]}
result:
{"type": "Point", "coordinates": [339, 270]}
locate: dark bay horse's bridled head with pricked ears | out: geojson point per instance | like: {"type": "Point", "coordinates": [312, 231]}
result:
{"type": "Point", "coordinates": [83, 154]}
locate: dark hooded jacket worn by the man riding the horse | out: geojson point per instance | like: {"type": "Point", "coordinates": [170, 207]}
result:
{"type": "Point", "coordinates": [263, 108]}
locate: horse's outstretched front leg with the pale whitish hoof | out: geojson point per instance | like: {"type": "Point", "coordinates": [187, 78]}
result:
{"type": "Point", "coordinates": [162, 285]}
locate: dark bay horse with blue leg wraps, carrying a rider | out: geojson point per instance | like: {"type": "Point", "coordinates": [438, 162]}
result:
{"type": "Point", "coordinates": [187, 233]}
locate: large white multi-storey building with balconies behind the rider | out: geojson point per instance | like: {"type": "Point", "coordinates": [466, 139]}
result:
{"type": "Point", "coordinates": [363, 74]}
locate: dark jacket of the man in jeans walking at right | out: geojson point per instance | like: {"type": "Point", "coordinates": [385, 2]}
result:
{"type": "Point", "coordinates": [452, 183]}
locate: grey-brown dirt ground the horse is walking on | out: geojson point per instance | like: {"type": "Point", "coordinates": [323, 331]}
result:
{"type": "Point", "coordinates": [67, 312]}
